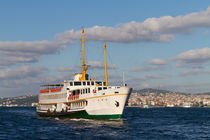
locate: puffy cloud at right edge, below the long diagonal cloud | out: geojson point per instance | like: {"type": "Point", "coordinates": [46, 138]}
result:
{"type": "Point", "coordinates": [193, 58]}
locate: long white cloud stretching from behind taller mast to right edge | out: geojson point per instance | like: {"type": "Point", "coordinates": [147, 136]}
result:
{"type": "Point", "coordinates": [151, 30]}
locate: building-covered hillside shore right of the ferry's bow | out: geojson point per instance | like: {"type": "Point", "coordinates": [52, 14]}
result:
{"type": "Point", "coordinates": [163, 98]}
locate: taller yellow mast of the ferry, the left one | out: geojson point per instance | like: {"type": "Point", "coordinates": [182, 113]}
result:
{"type": "Point", "coordinates": [84, 68]}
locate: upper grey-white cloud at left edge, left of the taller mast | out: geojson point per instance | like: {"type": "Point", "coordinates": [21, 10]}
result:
{"type": "Point", "coordinates": [26, 52]}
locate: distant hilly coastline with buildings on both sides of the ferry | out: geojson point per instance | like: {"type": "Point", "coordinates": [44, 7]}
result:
{"type": "Point", "coordinates": [145, 98]}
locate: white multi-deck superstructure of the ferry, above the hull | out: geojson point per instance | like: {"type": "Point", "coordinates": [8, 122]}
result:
{"type": "Point", "coordinates": [73, 93]}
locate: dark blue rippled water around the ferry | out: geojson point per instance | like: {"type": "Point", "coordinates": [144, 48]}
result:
{"type": "Point", "coordinates": [137, 123]}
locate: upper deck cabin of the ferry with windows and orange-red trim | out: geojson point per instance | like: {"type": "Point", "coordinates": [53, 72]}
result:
{"type": "Point", "coordinates": [76, 88]}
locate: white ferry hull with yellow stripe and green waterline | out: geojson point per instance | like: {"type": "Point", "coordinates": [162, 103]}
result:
{"type": "Point", "coordinates": [106, 106]}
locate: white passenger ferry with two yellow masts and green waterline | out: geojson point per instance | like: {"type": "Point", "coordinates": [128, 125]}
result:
{"type": "Point", "coordinates": [83, 97]}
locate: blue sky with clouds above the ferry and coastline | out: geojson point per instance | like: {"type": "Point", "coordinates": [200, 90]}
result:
{"type": "Point", "coordinates": [156, 44]}
